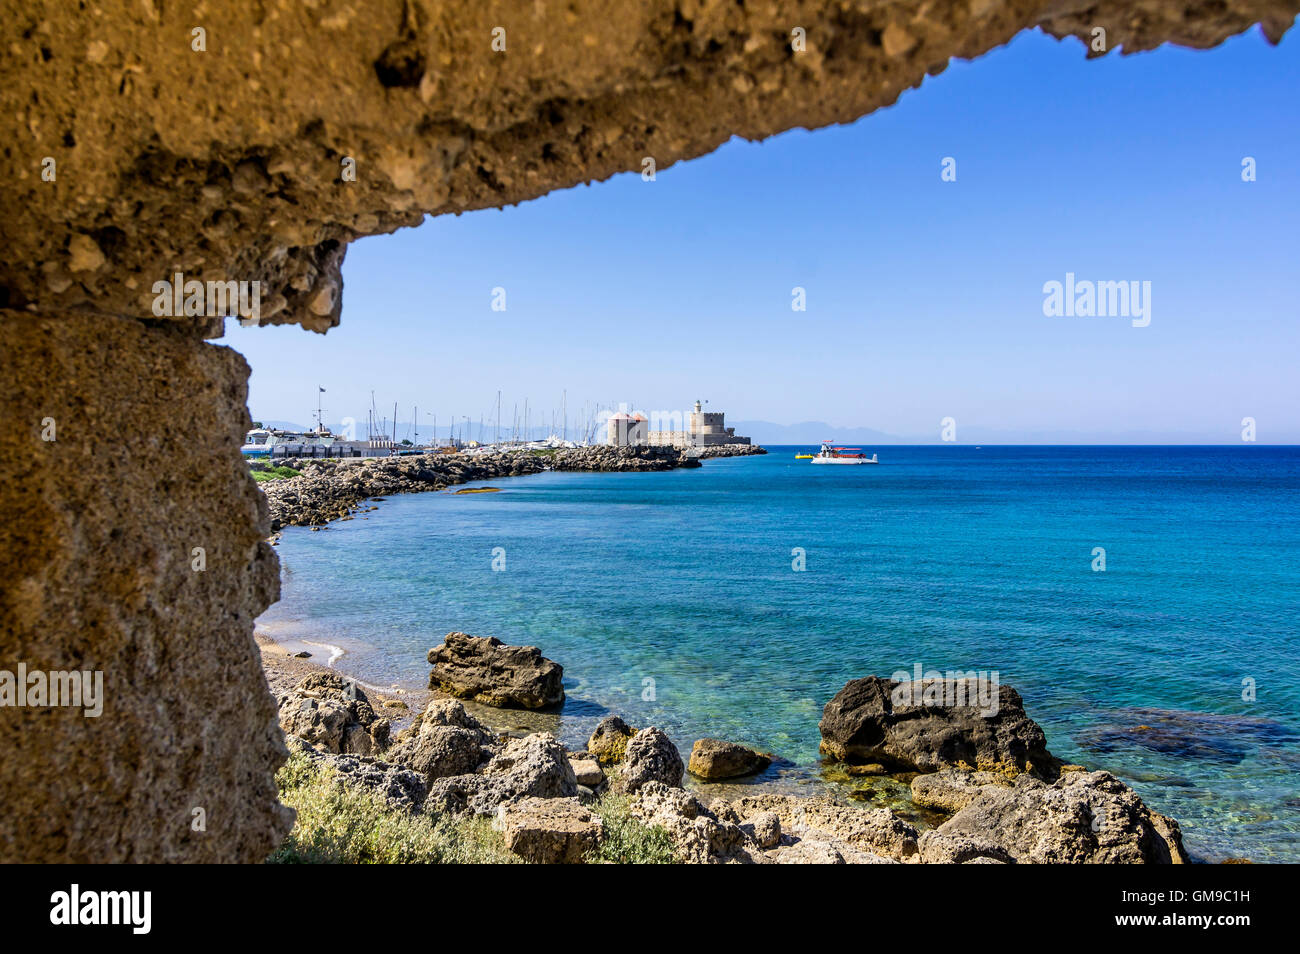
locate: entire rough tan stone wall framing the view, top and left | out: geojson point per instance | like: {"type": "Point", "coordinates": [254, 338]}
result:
{"type": "Point", "coordinates": [252, 141]}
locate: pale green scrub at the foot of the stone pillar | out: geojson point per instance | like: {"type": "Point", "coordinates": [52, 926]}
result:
{"type": "Point", "coordinates": [341, 823]}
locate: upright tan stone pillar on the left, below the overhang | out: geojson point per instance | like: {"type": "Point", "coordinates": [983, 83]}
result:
{"type": "Point", "coordinates": [98, 537]}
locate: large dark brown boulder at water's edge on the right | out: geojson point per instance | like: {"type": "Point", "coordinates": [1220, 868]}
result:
{"type": "Point", "coordinates": [925, 727]}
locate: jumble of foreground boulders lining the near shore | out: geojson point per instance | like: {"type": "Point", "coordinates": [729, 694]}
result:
{"type": "Point", "coordinates": [998, 793]}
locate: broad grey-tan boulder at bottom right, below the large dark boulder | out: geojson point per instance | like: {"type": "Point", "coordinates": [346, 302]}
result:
{"type": "Point", "coordinates": [1084, 818]}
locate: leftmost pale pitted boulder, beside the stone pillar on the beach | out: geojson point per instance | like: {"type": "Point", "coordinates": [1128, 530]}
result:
{"type": "Point", "coordinates": [333, 714]}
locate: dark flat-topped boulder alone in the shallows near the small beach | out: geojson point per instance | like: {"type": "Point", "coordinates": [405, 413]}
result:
{"type": "Point", "coordinates": [488, 671]}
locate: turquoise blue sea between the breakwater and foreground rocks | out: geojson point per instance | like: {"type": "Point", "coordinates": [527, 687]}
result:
{"type": "Point", "coordinates": [673, 600]}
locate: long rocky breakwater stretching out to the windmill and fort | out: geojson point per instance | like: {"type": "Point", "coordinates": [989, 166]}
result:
{"type": "Point", "coordinates": [332, 489]}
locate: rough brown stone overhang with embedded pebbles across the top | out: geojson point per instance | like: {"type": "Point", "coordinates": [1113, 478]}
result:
{"type": "Point", "coordinates": [231, 163]}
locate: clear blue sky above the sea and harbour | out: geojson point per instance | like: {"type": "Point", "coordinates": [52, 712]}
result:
{"type": "Point", "coordinates": [925, 298]}
